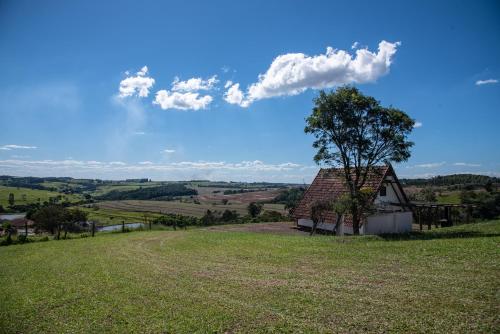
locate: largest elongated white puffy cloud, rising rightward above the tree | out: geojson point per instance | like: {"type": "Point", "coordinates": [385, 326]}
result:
{"type": "Point", "coordinates": [293, 73]}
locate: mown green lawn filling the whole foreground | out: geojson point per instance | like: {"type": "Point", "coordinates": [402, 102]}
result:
{"type": "Point", "coordinates": [445, 280]}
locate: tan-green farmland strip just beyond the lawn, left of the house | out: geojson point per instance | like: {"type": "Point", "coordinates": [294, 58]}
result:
{"type": "Point", "coordinates": [177, 207]}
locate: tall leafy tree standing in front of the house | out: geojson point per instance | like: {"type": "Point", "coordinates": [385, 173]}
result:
{"type": "Point", "coordinates": [356, 133]}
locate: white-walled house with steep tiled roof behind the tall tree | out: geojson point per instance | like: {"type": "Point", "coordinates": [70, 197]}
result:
{"type": "Point", "coordinates": [393, 214]}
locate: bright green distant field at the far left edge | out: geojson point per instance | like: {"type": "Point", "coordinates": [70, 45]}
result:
{"type": "Point", "coordinates": [32, 195]}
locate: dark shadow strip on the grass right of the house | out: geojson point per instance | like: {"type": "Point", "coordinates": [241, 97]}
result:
{"type": "Point", "coordinates": [439, 234]}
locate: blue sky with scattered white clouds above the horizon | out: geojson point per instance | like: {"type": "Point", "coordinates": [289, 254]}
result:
{"type": "Point", "coordinates": [76, 100]}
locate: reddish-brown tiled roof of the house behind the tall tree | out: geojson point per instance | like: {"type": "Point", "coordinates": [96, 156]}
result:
{"type": "Point", "coordinates": [329, 184]}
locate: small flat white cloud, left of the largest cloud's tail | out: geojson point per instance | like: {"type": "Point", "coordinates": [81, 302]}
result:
{"type": "Point", "coordinates": [182, 101]}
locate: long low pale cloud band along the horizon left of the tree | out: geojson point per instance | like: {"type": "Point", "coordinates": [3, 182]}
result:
{"type": "Point", "coordinates": [254, 170]}
